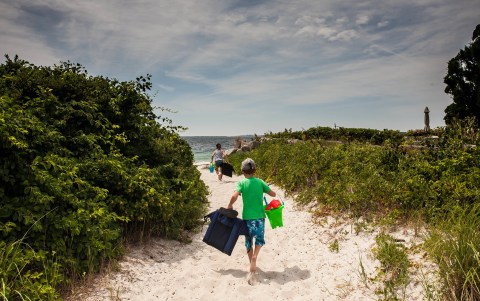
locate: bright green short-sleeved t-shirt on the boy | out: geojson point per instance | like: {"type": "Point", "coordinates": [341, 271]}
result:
{"type": "Point", "coordinates": [252, 190]}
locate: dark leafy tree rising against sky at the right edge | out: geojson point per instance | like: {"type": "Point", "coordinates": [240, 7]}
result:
{"type": "Point", "coordinates": [463, 82]}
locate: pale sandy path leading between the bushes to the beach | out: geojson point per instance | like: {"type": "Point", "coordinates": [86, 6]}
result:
{"type": "Point", "coordinates": [297, 263]}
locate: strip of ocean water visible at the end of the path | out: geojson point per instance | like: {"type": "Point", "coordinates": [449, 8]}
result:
{"type": "Point", "coordinates": [203, 146]}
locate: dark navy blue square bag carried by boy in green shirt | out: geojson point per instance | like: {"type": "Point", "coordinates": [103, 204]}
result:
{"type": "Point", "coordinates": [223, 231]}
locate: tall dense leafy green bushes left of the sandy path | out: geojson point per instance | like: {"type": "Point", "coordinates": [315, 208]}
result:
{"type": "Point", "coordinates": [84, 164]}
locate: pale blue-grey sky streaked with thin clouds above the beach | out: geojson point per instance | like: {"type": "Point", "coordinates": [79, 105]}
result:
{"type": "Point", "coordinates": [234, 67]}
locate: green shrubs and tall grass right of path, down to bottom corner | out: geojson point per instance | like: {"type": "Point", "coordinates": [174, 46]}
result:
{"type": "Point", "coordinates": [438, 183]}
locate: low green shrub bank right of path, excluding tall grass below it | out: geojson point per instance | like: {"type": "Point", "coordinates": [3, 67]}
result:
{"type": "Point", "coordinates": [365, 178]}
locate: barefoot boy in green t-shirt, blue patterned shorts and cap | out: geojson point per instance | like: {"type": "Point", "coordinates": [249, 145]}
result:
{"type": "Point", "coordinates": [252, 189]}
